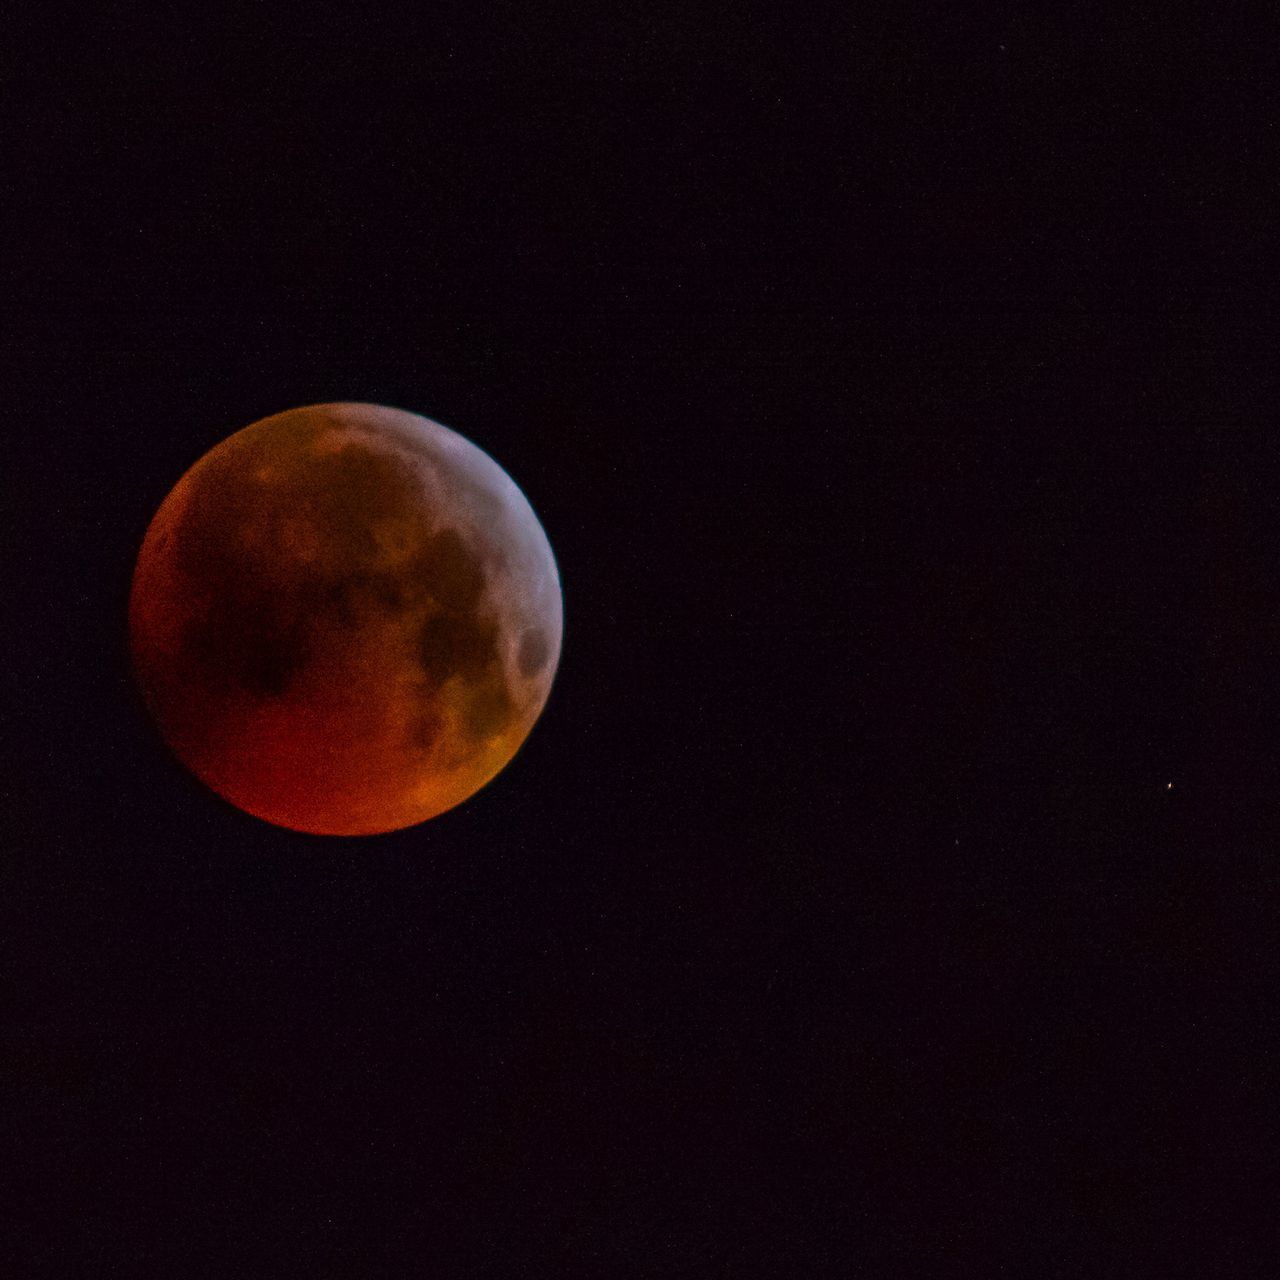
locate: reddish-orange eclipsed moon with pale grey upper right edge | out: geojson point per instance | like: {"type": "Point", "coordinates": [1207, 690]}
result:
{"type": "Point", "coordinates": [345, 619]}
